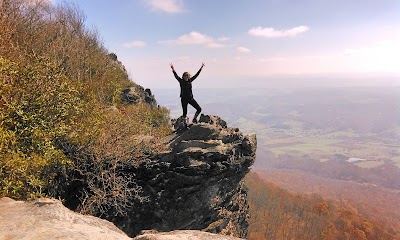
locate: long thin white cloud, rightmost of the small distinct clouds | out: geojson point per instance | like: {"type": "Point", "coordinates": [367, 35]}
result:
{"type": "Point", "coordinates": [273, 33]}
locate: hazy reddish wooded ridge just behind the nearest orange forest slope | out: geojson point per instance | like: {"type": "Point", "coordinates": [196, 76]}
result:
{"type": "Point", "coordinates": [370, 201]}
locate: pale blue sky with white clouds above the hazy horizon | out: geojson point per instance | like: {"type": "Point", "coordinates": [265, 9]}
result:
{"type": "Point", "coordinates": [245, 41]}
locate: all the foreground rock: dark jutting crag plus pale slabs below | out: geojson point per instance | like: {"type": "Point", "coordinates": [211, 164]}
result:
{"type": "Point", "coordinates": [196, 185]}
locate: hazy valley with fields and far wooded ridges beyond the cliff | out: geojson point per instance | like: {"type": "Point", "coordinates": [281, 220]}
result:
{"type": "Point", "coordinates": [341, 143]}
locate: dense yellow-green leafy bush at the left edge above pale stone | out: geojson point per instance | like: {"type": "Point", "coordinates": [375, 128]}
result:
{"type": "Point", "coordinates": [38, 105]}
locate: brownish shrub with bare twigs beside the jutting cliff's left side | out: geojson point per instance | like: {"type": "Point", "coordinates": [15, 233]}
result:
{"type": "Point", "coordinates": [103, 168]}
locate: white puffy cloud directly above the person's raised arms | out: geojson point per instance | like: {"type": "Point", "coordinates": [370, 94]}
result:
{"type": "Point", "coordinates": [196, 38]}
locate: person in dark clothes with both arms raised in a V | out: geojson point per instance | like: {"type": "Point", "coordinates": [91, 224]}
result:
{"type": "Point", "coordinates": [186, 91]}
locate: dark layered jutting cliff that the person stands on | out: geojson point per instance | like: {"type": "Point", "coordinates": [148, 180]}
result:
{"type": "Point", "coordinates": [197, 184]}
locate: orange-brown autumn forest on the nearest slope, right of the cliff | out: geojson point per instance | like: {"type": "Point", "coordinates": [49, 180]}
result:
{"type": "Point", "coordinates": [280, 214]}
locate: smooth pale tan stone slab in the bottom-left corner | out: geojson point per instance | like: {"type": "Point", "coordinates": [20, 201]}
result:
{"type": "Point", "coordinates": [48, 219]}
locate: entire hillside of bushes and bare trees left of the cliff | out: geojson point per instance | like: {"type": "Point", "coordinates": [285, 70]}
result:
{"type": "Point", "coordinates": [61, 115]}
